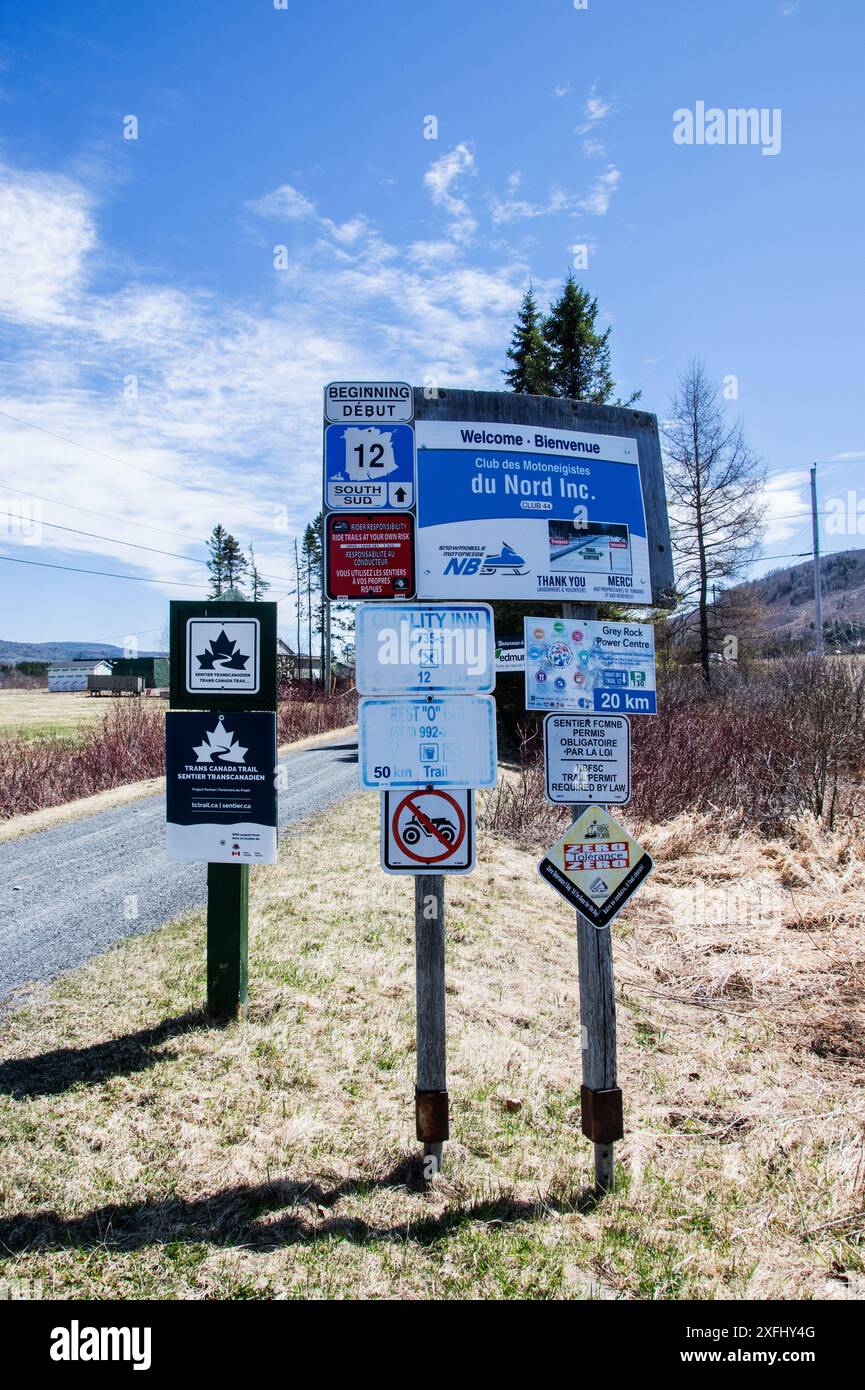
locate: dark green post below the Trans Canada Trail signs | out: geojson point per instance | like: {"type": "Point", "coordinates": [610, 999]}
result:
{"type": "Point", "coordinates": [227, 940]}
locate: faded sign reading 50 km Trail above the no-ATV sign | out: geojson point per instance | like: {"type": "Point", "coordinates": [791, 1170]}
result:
{"type": "Point", "coordinates": [414, 743]}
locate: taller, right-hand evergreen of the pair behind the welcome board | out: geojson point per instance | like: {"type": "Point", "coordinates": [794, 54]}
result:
{"type": "Point", "coordinates": [579, 352]}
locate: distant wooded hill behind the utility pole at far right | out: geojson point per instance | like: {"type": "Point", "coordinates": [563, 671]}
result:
{"type": "Point", "coordinates": [786, 598]}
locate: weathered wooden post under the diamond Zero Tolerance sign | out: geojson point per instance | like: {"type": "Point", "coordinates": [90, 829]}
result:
{"type": "Point", "coordinates": [600, 1095]}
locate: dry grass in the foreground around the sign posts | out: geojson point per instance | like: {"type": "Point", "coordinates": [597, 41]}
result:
{"type": "Point", "coordinates": [152, 1156]}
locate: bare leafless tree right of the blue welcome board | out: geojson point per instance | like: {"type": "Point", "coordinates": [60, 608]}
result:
{"type": "Point", "coordinates": [716, 493]}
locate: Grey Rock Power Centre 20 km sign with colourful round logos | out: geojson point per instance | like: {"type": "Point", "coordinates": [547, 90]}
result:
{"type": "Point", "coordinates": [590, 667]}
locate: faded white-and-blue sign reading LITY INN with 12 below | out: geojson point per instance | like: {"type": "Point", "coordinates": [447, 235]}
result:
{"type": "Point", "coordinates": [425, 648]}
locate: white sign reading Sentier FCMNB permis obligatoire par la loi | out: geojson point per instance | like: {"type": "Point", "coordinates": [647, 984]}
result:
{"type": "Point", "coordinates": [588, 758]}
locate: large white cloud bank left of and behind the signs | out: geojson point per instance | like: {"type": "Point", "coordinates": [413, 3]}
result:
{"type": "Point", "coordinates": [229, 408]}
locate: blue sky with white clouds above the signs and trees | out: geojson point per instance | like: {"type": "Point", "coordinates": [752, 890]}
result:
{"type": "Point", "coordinates": [144, 323]}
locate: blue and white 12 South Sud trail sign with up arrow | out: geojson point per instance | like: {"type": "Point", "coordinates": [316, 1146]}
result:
{"type": "Point", "coordinates": [369, 468]}
